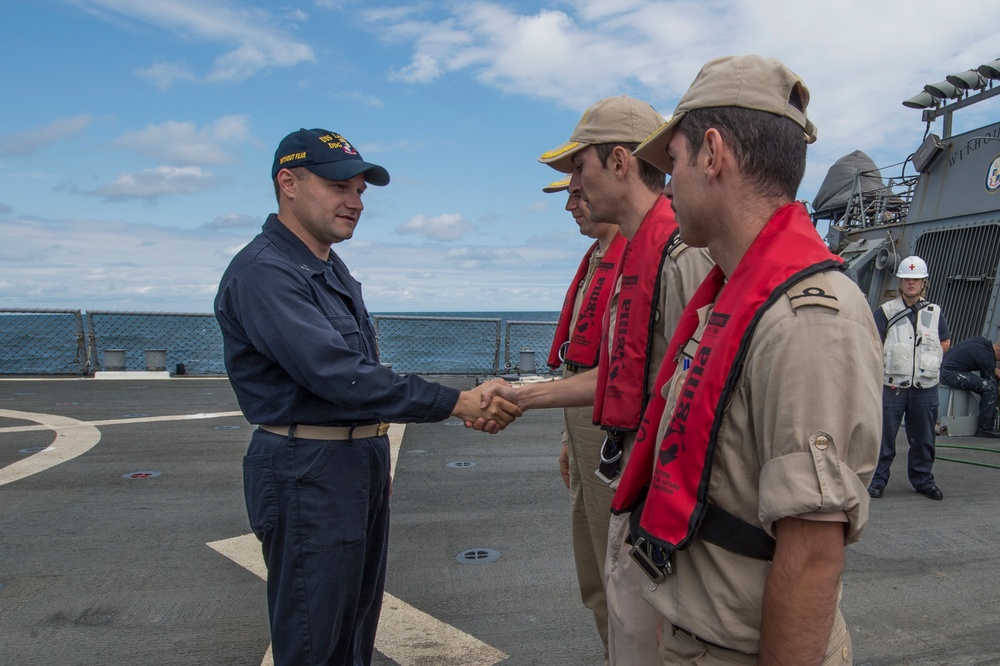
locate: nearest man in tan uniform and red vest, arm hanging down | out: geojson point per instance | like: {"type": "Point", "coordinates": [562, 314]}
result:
{"type": "Point", "coordinates": [752, 439]}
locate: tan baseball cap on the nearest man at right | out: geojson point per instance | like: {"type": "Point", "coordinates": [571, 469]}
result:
{"type": "Point", "coordinates": [750, 82]}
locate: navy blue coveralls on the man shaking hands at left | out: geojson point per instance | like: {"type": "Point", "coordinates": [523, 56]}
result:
{"type": "Point", "coordinates": [300, 350]}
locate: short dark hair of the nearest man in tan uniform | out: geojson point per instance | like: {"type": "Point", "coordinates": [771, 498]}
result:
{"type": "Point", "coordinates": [770, 150]}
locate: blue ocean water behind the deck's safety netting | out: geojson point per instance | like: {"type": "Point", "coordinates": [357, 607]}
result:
{"type": "Point", "coordinates": [412, 342]}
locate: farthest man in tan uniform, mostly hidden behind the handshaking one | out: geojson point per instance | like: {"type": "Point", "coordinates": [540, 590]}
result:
{"type": "Point", "coordinates": [575, 350]}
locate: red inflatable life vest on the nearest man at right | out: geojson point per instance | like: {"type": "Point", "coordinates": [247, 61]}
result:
{"type": "Point", "coordinates": [785, 251]}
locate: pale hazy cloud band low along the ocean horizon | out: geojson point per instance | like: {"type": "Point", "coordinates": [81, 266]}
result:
{"type": "Point", "coordinates": [120, 265]}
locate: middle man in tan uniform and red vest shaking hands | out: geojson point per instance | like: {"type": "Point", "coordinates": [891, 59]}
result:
{"type": "Point", "coordinates": [621, 190]}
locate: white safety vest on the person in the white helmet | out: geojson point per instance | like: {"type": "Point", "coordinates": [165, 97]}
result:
{"type": "Point", "coordinates": [912, 358]}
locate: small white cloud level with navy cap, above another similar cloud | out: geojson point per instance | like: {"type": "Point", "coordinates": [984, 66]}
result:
{"type": "Point", "coordinates": [183, 144]}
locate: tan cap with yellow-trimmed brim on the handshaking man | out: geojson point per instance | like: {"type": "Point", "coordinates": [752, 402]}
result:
{"type": "Point", "coordinates": [619, 119]}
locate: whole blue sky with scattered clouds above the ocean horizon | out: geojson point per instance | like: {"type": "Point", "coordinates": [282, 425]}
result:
{"type": "Point", "coordinates": [136, 136]}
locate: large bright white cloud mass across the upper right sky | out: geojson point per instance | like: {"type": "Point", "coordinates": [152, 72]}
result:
{"type": "Point", "coordinates": [860, 59]}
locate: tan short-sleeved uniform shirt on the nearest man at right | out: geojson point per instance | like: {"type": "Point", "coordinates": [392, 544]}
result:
{"type": "Point", "coordinates": [813, 369]}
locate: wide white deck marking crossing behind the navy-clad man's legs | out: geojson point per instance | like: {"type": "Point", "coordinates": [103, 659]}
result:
{"type": "Point", "coordinates": [406, 635]}
